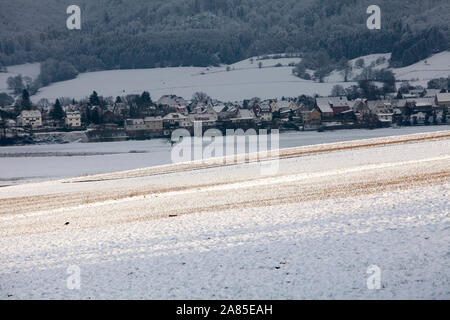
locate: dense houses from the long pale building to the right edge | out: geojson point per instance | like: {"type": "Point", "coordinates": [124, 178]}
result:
{"type": "Point", "coordinates": [326, 111]}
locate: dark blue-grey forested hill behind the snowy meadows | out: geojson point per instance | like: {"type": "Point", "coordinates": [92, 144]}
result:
{"type": "Point", "coordinates": [152, 33]}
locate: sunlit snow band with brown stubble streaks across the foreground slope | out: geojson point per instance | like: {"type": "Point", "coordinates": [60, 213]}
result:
{"type": "Point", "coordinates": [174, 190]}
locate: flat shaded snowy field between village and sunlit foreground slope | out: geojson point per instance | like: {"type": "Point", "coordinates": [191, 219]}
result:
{"type": "Point", "coordinates": [21, 164]}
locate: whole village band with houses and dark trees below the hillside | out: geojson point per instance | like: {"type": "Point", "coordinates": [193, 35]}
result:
{"type": "Point", "coordinates": [138, 117]}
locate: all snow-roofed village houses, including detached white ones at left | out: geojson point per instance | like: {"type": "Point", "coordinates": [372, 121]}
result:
{"type": "Point", "coordinates": [327, 111]}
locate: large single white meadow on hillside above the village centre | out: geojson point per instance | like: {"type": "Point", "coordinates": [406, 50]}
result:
{"type": "Point", "coordinates": [244, 80]}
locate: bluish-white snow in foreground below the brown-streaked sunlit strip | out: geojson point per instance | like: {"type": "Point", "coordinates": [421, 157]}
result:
{"type": "Point", "coordinates": [311, 250]}
